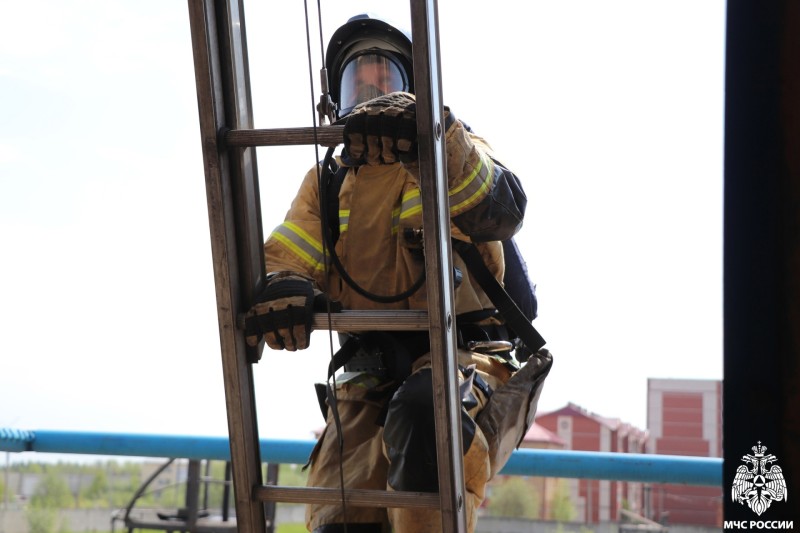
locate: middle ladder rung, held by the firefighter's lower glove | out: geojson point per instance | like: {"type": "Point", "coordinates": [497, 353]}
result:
{"type": "Point", "coordinates": [399, 320]}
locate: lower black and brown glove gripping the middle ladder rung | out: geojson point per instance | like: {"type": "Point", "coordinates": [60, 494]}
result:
{"type": "Point", "coordinates": [283, 313]}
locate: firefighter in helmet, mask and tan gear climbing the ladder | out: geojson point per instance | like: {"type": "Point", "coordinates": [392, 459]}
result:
{"type": "Point", "coordinates": [384, 398]}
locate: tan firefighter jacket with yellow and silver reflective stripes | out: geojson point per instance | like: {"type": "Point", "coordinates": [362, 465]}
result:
{"type": "Point", "coordinates": [377, 205]}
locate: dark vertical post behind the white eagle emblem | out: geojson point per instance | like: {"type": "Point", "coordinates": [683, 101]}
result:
{"type": "Point", "coordinates": [762, 251]}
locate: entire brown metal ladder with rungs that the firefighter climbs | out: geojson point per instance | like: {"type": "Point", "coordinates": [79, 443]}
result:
{"type": "Point", "coordinates": [229, 139]}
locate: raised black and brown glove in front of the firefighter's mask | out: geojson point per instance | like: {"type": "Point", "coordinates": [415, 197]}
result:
{"type": "Point", "coordinates": [382, 131]}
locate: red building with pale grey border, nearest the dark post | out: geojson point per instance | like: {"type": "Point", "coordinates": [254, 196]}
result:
{"type": "Point", "coordinates": [684, 417]}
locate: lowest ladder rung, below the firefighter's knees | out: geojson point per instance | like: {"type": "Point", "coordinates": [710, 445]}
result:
{"type": "Point", "coordinates": [354, 497]}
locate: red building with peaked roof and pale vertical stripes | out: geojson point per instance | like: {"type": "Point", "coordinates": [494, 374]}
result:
{"type": "Point", "coordinates": [598, 500]}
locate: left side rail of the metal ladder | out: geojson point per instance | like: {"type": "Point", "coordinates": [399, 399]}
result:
{"type": "Point", "coordinates": [220, 68]}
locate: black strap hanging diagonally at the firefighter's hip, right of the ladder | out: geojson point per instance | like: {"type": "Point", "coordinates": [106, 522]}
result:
{"type": "Point", "coordinates": [515, 319]}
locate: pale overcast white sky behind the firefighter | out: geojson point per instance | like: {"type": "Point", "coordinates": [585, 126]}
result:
{"type": "Point", "coordinates": [611, 114]}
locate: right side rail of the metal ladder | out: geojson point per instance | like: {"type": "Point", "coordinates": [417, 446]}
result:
{"type": "Point", "coordinates": [438, 263]}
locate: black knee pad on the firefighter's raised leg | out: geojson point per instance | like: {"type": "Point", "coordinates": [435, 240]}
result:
{"type": "Point", "coordinates": [410, 435]}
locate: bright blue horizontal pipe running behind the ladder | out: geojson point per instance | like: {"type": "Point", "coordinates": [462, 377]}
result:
{"type": "Point", "coordinates": [523, 462]}
